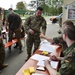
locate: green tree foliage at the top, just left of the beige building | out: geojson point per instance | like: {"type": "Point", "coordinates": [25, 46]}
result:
{"type": "Point", "coordinates": [52, 9]}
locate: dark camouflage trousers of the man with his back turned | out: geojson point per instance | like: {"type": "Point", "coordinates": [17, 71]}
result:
{"type": "Point", "coordinates": [17, 36]}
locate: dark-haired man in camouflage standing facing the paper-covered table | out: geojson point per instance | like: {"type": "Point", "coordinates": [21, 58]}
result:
{"type": "Point", "coordinates": [34, 26]}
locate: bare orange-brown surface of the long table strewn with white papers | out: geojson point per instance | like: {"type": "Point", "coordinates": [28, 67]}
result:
{"type": "Point", "coordinates": [33, 63]}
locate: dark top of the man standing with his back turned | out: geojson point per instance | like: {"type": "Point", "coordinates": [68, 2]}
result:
{"type": "Point", "coordinates": [13, 21]}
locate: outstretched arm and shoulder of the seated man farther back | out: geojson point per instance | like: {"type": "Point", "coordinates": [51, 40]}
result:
{"type": "Point", "coordinates": [56, 40]}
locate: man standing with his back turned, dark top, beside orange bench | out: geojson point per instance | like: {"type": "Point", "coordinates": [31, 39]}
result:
{"type": "Point", "coordinates": [14, 23]}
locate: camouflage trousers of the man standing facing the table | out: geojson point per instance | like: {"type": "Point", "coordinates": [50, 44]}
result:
{"type": "Point", "coordinates": [32, 39]}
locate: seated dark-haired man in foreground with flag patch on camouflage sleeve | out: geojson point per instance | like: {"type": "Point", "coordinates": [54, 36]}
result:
{"type": "Point", "coordinates": [68, 61]}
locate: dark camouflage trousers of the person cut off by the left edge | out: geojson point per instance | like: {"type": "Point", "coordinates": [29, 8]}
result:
{"type": "Point", "coordinates": [2, 53]}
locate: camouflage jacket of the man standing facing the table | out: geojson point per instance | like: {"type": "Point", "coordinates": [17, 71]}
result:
{"type": "Point", "coordinates": [37, 24]}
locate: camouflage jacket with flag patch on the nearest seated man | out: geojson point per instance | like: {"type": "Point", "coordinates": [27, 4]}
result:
{"type": "Point", "coordinates": [68, 64]}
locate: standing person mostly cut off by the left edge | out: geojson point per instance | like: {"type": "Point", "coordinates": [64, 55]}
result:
{"type": "Point", "coordinates": [2, 51]}
